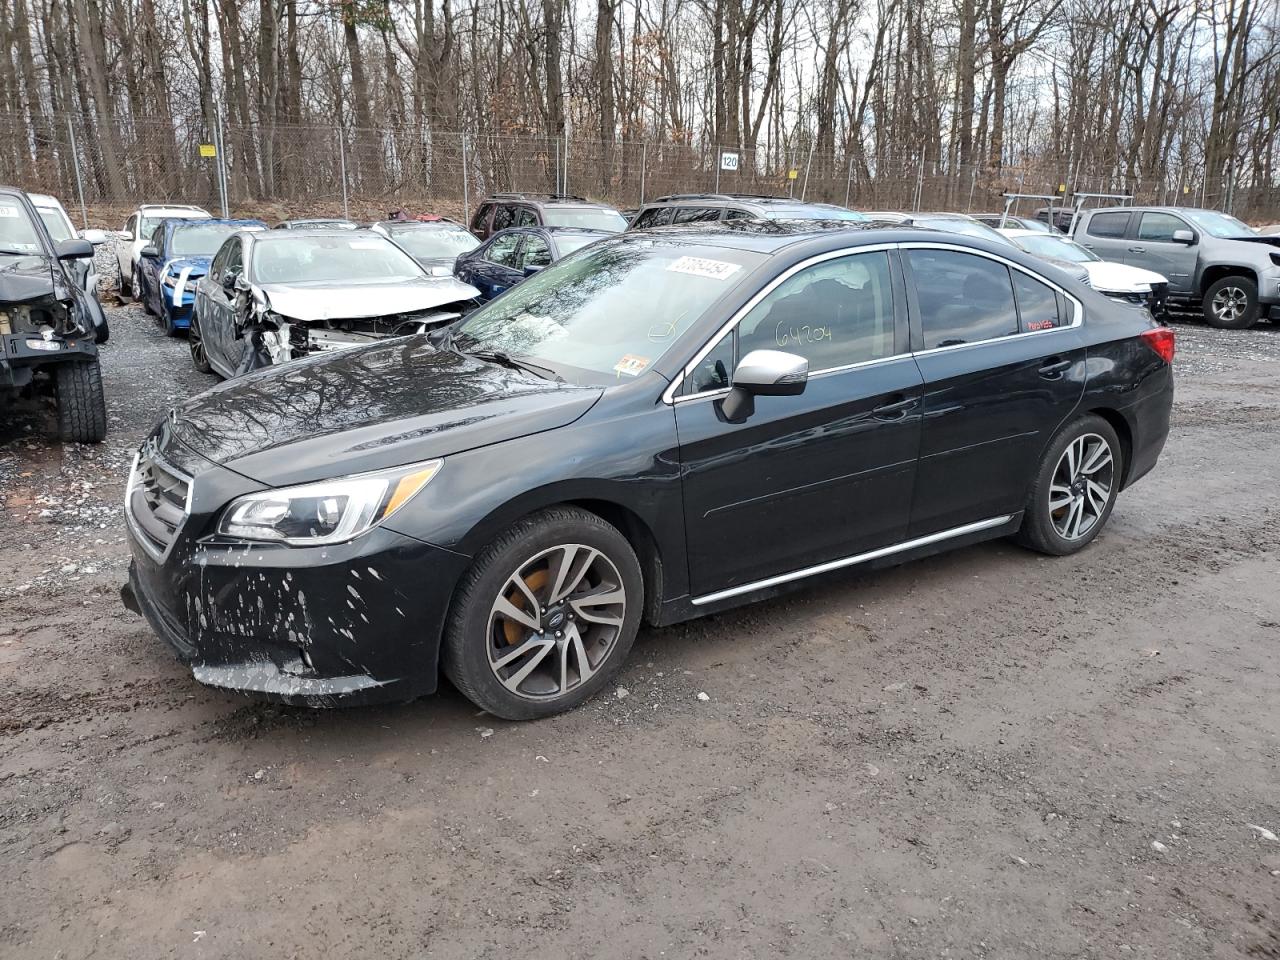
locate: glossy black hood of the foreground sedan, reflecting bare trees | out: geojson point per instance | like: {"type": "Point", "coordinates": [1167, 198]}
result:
{"type": "Point", "coordinates": [367, 409]}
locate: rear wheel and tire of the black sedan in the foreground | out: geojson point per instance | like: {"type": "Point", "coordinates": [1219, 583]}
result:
{"type": "Point", "coordinates": [1048, 528]}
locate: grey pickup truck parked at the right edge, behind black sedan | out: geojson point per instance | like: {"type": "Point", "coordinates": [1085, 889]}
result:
{"type": "Point", "coordinates": [1213, 260]}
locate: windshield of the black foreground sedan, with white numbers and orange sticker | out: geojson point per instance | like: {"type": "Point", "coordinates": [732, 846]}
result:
{"type": "Point", "coordinates": [607, 313]}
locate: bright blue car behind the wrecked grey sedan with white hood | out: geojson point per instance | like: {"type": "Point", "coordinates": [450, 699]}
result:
{"type": "Point", "coordinates": [177, 255]}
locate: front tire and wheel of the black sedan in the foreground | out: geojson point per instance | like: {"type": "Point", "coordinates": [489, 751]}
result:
{"type": "Point", "coordinates": [472, 641]}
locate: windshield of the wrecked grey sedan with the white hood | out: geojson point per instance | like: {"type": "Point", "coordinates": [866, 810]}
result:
{"type": "Point", "coordinates": [298, 258]}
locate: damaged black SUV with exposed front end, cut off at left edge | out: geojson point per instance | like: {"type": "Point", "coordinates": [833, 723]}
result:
{"type": "Point", "coordinates": [48, 322]}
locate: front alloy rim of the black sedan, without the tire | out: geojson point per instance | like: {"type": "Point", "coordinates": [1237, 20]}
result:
{"type": "Point", "coordinates": [556, 621]}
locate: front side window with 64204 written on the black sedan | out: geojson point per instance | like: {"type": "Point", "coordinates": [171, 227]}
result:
{"type": "Point", "coordinates": [833, 314]}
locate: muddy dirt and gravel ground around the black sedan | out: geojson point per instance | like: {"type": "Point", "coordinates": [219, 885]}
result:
{"type": "Point", "coordinates": [988, 755]}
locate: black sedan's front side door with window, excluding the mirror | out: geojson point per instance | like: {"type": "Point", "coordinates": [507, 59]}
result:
{"type": "Point", "coordinates": [815, 478]}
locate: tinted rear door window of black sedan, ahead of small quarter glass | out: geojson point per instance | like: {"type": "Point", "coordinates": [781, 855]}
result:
{"type": "Point", "coordinates": [964, 299]}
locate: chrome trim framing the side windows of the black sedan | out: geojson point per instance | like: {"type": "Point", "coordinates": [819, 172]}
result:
{"type": "Point", "coordinates": [670, 397]}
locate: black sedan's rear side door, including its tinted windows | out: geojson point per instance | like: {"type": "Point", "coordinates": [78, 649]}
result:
{"type": "Point", "coordinates": [1003, 365]}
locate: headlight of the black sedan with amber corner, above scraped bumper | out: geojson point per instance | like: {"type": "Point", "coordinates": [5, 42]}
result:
{"type": "Point", "coordinates": [332, 511]}
